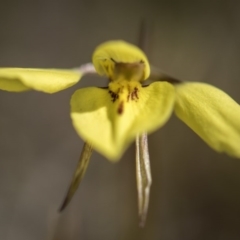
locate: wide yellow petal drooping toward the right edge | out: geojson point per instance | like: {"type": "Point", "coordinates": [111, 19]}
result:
{"type": "Point", "coordinates": [212, 114]}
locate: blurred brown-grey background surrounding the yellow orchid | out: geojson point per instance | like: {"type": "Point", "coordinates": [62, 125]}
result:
{"type": "Point", "coordinates": [195, 192]}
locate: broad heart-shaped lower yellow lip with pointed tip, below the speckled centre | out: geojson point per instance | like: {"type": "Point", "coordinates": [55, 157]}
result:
{"type": "Point", "coordinates": [110, 126]}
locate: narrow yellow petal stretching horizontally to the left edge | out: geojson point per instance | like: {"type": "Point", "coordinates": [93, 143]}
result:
{"type": "Point", "coordinates": [45, 80]}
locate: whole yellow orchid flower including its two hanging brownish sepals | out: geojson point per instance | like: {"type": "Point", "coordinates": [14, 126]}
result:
{"type": "Point", "coordinates": [109, 119]}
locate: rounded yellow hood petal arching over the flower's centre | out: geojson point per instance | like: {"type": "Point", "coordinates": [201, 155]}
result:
{"type": "Point", "coordinates": [107, 54]}
